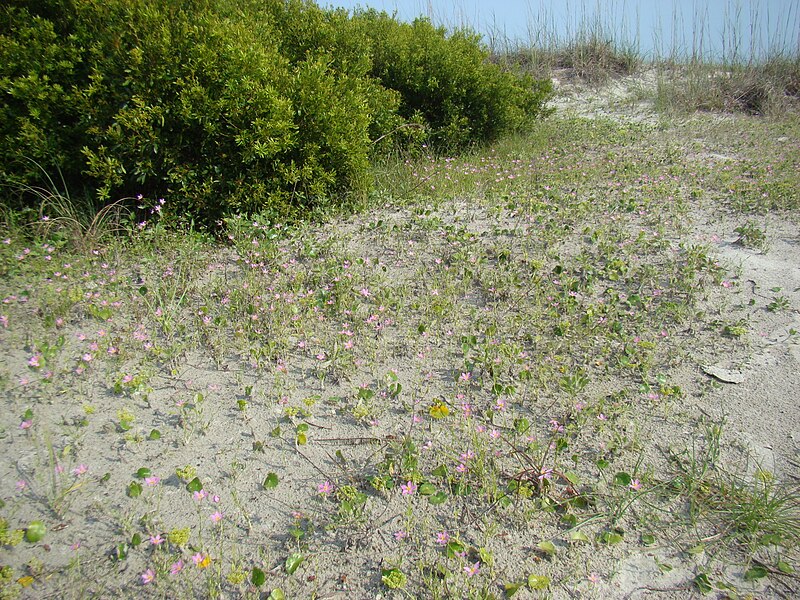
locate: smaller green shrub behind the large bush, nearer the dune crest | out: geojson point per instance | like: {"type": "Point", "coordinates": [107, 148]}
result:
{"type": "Point", "coordinates": [447, 83]}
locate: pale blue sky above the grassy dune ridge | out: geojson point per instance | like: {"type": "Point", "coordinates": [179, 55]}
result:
{"type": "Point", "coordinates": [715, 28]}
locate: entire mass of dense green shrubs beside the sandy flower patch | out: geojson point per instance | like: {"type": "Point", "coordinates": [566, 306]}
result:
{"type": "Point", "coordinates": [227, 106]}
